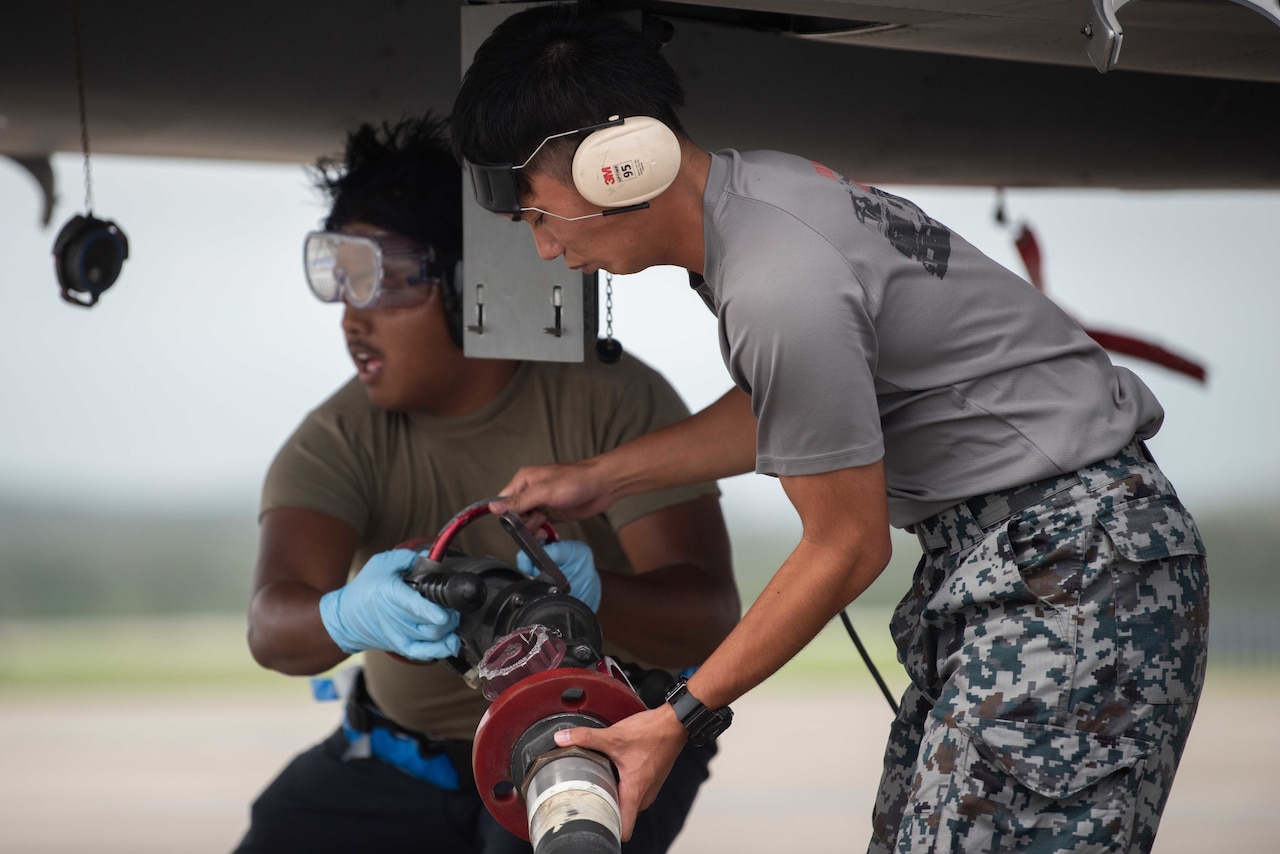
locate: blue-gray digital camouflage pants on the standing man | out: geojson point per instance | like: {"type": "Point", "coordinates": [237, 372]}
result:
{"type": "Point", "coordinates": [1055, 638]}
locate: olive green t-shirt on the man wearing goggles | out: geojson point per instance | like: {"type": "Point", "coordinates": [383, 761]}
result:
{"type": "Point", "coordinates": [395, 477]}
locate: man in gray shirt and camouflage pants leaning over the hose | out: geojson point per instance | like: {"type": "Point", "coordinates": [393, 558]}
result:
{"type": "Point", "coordinates": [889, 375]}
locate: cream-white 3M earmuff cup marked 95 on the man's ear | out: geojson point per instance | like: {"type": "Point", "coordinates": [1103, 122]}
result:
{"type": "Point", "coordinates": [627, 165]}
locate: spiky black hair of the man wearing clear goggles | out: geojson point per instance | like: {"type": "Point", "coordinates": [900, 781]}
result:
{"type": "Point", "coordinates": [400, 177]}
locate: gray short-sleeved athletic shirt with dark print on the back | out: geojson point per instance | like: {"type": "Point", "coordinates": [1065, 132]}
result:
{"type": "Point", "coordinates": [865, 330]}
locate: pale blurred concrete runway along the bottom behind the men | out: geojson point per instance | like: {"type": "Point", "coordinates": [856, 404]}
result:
{"type": "Point", "coordinates": [175, 774]}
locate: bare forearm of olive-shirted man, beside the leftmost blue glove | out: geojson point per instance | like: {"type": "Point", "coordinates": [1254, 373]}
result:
{"type": "Point", "coordinates": [286, 633]}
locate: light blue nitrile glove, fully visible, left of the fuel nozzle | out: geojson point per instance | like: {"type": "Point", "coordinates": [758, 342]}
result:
{"type": "Point", "coordinates": [378, 610]}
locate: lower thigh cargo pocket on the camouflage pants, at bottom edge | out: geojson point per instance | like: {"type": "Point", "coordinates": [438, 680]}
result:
{"type": "Point", "coordinates": [1027, 786]}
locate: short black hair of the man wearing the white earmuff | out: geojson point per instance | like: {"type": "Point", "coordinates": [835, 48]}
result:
{"type": "Point", "coordinates": [557, 68]}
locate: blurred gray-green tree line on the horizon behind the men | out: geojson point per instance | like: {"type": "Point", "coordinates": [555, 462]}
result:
{"type": "Point", "coordinates": [62, 563]}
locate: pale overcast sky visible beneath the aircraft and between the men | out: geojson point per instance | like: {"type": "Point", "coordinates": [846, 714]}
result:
{"type": "Point", "coordinates": [180, 386]}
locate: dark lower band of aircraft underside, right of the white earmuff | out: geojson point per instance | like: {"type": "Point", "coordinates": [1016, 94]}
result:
{"type": "Point", "coordinates": [904, 117]}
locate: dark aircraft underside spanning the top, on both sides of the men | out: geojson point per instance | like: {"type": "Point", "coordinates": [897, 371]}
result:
{"type": "Point", "coordinates": [899, 92]}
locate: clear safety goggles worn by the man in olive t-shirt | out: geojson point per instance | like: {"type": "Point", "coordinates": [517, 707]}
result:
{"type": "Point", "coordinates": [368, 272]}
